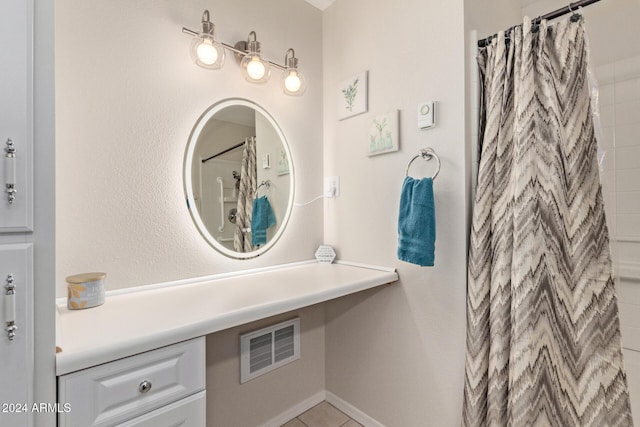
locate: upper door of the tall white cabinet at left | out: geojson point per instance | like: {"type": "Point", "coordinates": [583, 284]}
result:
{"type": "Point", "coordinates": [16, 116]}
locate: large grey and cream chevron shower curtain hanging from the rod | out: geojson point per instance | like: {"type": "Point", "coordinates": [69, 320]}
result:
{"type": "Point", "coordinates": [543, 335]}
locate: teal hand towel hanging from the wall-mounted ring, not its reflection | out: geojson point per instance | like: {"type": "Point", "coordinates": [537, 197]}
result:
{"type": "Point", "coordinates": [417, 222]}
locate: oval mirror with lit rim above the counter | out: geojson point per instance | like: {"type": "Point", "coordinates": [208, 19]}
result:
{"type": "Point", "coordinates": [238, 178]}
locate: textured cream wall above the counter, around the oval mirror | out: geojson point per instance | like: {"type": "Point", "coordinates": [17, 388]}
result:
{"type": "Point", "coordinates": [127, 98]}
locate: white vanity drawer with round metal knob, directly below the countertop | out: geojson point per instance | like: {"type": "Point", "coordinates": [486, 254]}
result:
{"type": "Point", "coordinates": [109, 394]}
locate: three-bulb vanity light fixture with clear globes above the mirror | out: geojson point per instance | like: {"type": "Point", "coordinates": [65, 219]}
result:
{"type": "Point", "coordinates": [209, 53]}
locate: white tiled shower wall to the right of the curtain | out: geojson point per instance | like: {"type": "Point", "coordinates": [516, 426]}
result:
{"type": "Point", "coordinates": [619, 105]}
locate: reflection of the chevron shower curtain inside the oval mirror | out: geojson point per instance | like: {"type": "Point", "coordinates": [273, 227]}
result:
{"type": "Point", "coordinates": [248, 174]}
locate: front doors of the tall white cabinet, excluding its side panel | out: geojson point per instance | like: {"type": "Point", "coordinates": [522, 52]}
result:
{"type": "Point", "coordinates": [16, 213]}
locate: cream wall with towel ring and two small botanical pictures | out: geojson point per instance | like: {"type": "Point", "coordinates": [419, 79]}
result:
{"type": "Point", "coordinates": [397, 353]}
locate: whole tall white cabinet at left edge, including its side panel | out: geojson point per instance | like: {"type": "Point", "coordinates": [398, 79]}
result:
{"type": "Point", "coordinates": [27, 350]}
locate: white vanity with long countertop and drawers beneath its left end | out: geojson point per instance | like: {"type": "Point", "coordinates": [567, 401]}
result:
{"type": "Point", "coordinates": [139, 359]}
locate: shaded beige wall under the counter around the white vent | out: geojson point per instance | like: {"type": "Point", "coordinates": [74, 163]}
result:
{"type": "Point", "coordinates": [266, 397]}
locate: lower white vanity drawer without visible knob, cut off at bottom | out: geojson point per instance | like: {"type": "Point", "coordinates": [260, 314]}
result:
{"type": "Point", "coordinates": [188, 412]}
